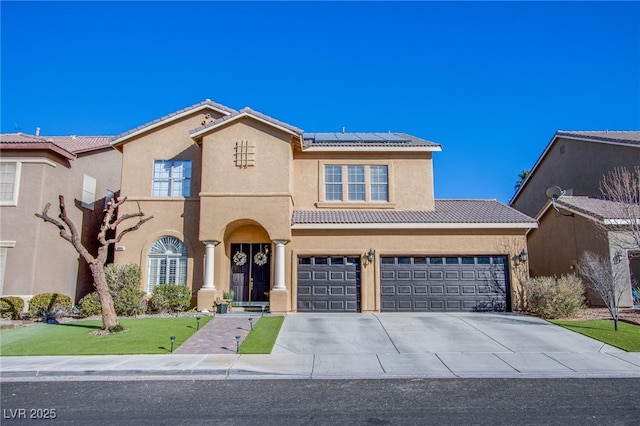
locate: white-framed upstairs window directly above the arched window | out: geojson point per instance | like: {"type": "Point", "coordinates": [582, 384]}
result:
{"type": "Point", "coordinates": [172, 178]}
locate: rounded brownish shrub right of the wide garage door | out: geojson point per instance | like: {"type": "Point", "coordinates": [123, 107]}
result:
{"type": "Point", "coordinates": [552, 297]}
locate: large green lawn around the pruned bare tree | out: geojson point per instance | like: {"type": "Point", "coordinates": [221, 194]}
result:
{"type": "Point", "coordinates": [145, 336]}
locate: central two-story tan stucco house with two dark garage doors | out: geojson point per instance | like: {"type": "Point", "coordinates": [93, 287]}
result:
{"type": "Point", "coordinates": [323, 222]}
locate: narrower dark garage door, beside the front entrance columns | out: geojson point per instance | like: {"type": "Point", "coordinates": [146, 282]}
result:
{"type": "Point", "coordinates": [328, 284]}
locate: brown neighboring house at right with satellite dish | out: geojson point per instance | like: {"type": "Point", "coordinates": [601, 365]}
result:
{"type": "Point", "coordinates": [571, 168]}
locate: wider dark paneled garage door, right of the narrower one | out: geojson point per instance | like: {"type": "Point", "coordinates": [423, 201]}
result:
{"type": "Point", "coordinates": [444, 283]}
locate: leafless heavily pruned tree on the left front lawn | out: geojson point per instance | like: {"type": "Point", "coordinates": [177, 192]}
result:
{"type": "Point", "coordinates": [110, 223]}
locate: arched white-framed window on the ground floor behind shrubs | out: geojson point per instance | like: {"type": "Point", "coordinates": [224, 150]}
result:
{"type": "Point", "coordinates": [167, 263]}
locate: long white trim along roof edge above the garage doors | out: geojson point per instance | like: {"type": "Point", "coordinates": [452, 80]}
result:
{"type": "Point", "coordinates": [415, 226]}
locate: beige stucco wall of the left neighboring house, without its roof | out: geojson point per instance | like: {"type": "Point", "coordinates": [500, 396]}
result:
{"type": "Point", "coordinates": [41, 261]}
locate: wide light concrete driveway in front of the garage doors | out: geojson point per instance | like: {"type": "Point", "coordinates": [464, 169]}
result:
{"type": "Point", "coordinates": [419, 333]}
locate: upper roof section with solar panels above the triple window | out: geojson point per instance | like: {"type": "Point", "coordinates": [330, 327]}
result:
{"type": "Point", "coordinates": [365, 139]}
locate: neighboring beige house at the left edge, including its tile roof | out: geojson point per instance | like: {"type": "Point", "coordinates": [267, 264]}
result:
{"type": "Point", "coordinates": [34, 171]}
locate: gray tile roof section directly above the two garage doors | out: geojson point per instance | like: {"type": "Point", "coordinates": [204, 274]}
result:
{"type": "Point", "coordinates": [446, 212]}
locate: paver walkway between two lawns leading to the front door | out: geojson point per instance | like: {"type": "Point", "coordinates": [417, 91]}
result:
{"type": "Point", "coordinates": [218, 336]}
